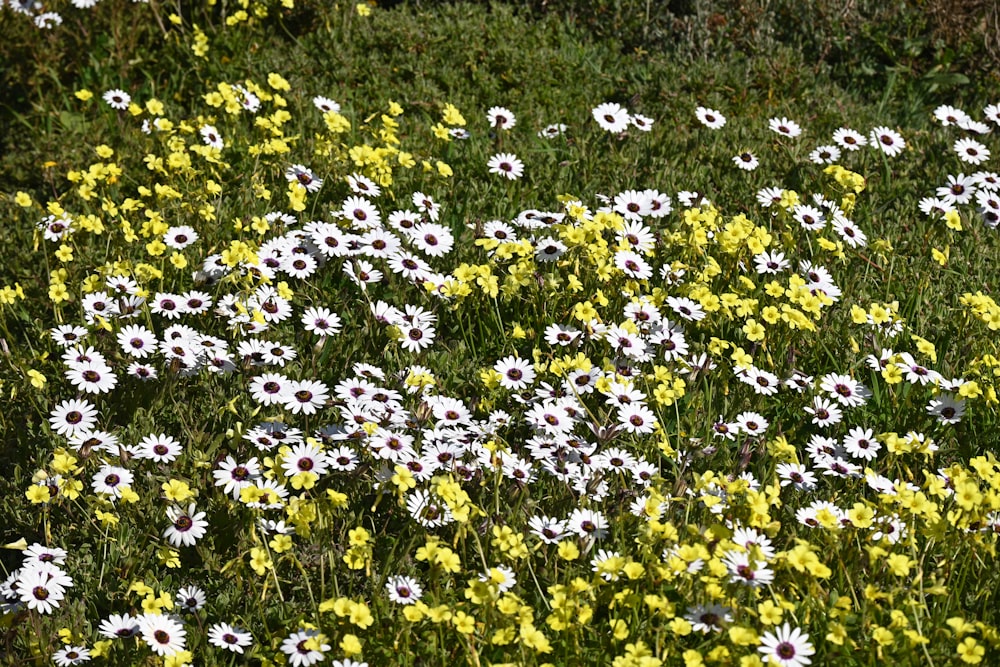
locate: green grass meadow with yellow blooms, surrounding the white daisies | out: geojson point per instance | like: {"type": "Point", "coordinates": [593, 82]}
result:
{"type": "Point", "coordinates": [836, 584]}
